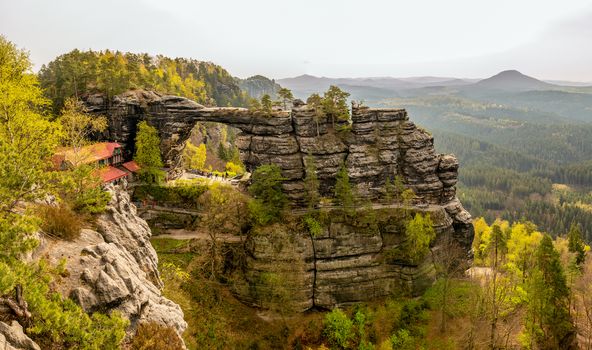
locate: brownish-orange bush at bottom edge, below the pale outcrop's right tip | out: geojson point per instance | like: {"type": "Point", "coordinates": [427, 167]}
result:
{"type": "Point", "coordinates": [153, 336]}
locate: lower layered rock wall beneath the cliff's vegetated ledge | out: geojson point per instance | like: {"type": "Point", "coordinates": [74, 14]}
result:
{"type": "Point", "coordinates": [352, 260]}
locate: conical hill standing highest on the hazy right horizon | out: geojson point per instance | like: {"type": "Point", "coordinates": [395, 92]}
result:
{"type": "Point", "coordinates": [512, 80]}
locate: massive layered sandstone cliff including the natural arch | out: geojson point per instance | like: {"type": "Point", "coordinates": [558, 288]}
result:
{"type": "Point", "coordinates": [348, 262]}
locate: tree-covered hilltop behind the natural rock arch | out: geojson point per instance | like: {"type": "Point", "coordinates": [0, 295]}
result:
{"type": "Point", "coordinates": [78, 73]}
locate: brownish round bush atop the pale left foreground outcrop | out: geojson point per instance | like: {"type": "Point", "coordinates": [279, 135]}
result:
{"type": "Point", "coordinates": [60, 222]}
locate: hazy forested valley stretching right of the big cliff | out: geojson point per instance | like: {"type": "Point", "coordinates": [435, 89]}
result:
{"type": "Point", "coordinates": [518, 161]}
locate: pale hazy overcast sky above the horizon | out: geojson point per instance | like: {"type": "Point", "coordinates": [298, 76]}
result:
{"type": "Point", "coordinates": [547, 39]}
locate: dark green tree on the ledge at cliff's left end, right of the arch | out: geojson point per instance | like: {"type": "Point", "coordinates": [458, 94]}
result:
{"type": "Point", "coordinates": [269, 200]}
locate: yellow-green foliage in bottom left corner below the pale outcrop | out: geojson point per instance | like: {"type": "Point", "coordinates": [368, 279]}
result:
{"type": "Point", "coordinates": [57, 320]}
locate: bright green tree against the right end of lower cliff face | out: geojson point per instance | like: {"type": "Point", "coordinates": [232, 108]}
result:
{"type": "Point", "coordinates": [419, 234]}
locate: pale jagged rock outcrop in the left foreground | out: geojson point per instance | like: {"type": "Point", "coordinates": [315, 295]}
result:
{"type": "Point", "coordinates": [115, 268]}
